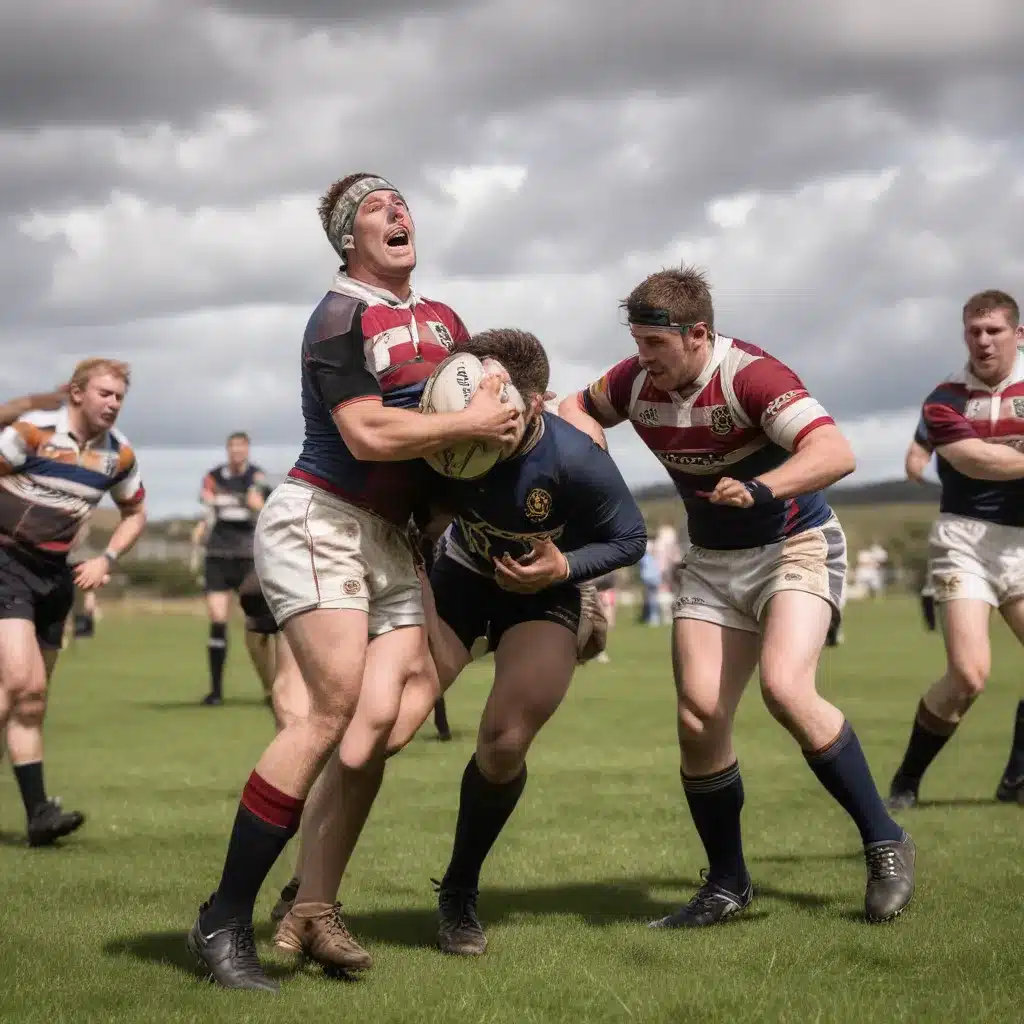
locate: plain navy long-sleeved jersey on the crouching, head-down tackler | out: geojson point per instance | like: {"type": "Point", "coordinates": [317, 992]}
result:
{"type": "Point", "coordinates": [561, 486]}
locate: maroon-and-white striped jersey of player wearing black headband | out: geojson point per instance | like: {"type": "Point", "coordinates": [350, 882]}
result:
{"type": "Point", "coordinates": [741, 418]}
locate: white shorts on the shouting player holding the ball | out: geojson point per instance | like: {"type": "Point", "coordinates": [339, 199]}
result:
{"type": "Point", "coordinates": [314, 550]}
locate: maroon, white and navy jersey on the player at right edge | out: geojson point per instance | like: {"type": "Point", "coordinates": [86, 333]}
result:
{"type": "Point", "coordinates": [964, 408]}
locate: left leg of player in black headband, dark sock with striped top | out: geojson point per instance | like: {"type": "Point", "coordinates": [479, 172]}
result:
{"type": "Point", "coordinates": [712, 664]}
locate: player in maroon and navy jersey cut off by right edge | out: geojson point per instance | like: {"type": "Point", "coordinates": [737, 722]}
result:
{"type": "Point", "coordinates": [974, 423]}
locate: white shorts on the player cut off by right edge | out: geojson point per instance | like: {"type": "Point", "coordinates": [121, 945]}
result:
{"type": "Point", "coordinates": [971, 560]}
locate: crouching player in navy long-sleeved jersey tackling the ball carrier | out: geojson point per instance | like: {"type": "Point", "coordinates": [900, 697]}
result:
{"type": "Point", "coordinates": [552, 516]}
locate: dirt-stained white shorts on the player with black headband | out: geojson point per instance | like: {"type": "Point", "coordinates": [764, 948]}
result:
{"type": "Point", "coordinates": [733, 588]}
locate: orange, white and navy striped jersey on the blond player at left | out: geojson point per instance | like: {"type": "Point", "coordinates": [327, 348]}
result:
{"type": "Point", "coordinates": [50, 483]}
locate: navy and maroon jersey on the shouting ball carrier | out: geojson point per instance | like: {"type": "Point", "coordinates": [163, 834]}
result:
{"type": "Point", "coordinates": [363, 344]}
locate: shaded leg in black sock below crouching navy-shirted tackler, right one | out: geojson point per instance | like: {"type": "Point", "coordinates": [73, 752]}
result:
{"type": "Point", "coordinates": [534, 666]}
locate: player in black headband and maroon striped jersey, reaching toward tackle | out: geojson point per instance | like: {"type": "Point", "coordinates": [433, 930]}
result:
{"type": "Point", "coordinates": [750, 452]}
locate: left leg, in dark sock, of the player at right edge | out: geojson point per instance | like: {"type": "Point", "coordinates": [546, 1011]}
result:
{"type": "Point", "coordinates": [965, 624]}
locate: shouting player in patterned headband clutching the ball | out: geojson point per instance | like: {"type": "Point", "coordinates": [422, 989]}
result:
{"type": "Point", "coordinates": [332, 549]}
